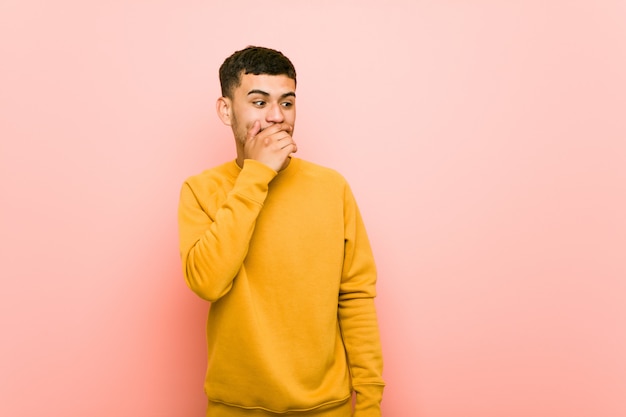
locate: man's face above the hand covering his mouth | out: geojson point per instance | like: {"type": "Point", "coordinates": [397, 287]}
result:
{"type": "Point", "coordinates": [267, 98]}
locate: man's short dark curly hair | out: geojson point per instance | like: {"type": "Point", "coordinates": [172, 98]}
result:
{"type": "Point", "coordinates": [253, 60]}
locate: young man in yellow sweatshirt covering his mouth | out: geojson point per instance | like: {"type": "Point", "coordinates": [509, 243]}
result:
{"type": "Point", "coordinates": [278, 247]}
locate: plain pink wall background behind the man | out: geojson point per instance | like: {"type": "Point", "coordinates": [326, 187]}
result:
{"type": "Point", "coordinates": [485, 142]}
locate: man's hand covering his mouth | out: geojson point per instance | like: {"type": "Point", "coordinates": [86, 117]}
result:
{"type": "Point", "coordinates": [271, 146]}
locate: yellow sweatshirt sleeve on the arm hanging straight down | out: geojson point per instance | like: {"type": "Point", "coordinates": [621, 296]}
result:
{"type": "Point", "coordinates": [357, 314]}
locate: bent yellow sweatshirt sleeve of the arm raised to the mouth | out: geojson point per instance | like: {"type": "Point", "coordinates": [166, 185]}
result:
{"type": "Point", "coordinates": [213, 249]}
